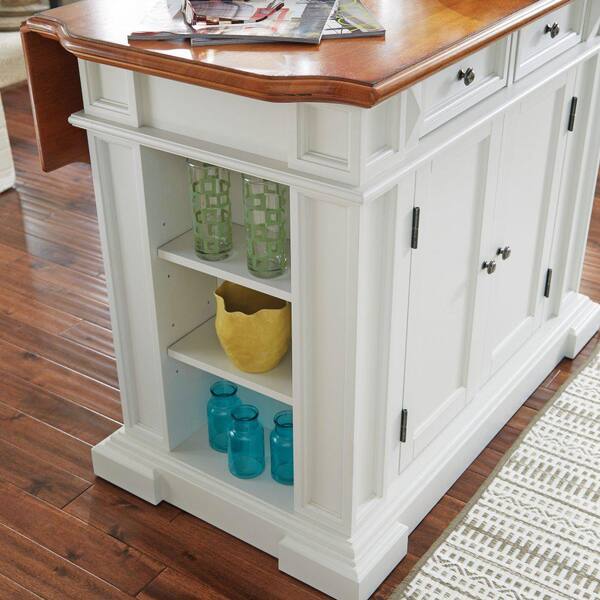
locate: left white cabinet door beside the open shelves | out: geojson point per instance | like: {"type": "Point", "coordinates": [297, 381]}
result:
{"type": "Point", "coordinates": [447, 298]}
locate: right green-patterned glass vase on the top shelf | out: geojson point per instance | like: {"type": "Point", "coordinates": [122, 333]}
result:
{"type": "Point", "coordinates": [265, 212]}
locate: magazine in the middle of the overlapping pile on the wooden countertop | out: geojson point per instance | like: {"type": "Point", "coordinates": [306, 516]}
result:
{"type": "Point", "coordinates": [297, 21]}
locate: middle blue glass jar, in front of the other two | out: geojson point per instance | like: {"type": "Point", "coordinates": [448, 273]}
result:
{"type": "Point", "coordinates": [246, 443]}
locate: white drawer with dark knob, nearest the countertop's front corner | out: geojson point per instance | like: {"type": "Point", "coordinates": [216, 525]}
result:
{"type": "Point", "coordinates": [456, 88]}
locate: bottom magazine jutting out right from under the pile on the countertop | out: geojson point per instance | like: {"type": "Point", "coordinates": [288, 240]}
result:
{"type": "Point", "coordinates": [351, 19]}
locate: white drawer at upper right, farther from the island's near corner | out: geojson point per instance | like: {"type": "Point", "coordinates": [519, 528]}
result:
{"type": "Point", "coordinates": [546, 38]}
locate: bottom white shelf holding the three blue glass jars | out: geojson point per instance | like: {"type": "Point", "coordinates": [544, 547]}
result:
{"type": "Point", "coordinates": [196, 452]}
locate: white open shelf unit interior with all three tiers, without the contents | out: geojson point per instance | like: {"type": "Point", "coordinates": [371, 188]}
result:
{"type": "Point", "coordinates": [192, 357]}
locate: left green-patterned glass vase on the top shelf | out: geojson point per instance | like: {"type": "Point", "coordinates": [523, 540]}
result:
{"type": "Point", "coordinates": [211, 207]}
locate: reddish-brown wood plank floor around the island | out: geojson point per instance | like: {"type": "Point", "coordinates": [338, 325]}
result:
{"type": "Point", "coordinates": [65, 534]}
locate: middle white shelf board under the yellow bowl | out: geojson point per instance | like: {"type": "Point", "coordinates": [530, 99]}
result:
{"type": "Point", "coordinates": [201, 349]}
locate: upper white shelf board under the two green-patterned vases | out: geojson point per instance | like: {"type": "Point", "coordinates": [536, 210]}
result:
{"type": "Point", "coordinates": [181, 252]}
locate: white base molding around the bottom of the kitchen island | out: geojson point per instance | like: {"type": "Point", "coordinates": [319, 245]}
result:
{"type": "Point", "coordinates": [352, 567]}
